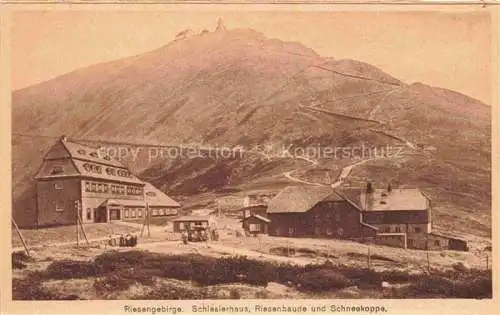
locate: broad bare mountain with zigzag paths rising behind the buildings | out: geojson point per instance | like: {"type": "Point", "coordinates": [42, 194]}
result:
{"type": "Point", "coordinates": [238, 87]}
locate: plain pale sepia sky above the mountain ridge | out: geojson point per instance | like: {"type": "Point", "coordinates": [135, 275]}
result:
{"type": "Point", "coordinates": [446, 49]}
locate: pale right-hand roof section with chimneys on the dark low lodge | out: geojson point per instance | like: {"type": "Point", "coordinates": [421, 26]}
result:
{"type": "Point", "coordinates": [403, 199]}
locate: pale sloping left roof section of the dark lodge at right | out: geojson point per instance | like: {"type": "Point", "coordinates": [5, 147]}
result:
{"type": "Point", "coordinates": [297, 199]}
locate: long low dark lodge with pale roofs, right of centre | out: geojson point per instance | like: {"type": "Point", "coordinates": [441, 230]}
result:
{"type": "Point", "coordinates": [393, 217]}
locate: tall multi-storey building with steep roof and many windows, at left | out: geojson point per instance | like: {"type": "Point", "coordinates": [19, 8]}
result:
{"type": "Point", "coordinates": [74, 177]}
